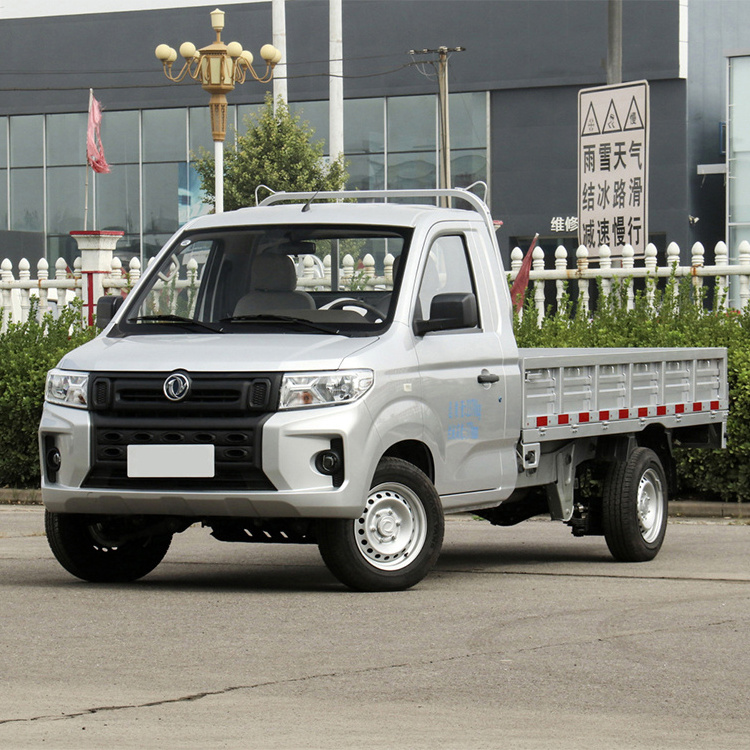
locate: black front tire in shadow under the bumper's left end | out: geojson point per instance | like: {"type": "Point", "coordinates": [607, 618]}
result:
{"type": "Point", "coordinates": [79, 544]}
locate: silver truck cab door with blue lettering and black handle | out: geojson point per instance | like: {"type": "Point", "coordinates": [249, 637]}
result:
{"type": "Point", "coordinates": [463, 381]}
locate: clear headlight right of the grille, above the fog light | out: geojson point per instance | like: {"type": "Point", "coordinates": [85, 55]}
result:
{"type": "Point", "coordinates": [324, 388]}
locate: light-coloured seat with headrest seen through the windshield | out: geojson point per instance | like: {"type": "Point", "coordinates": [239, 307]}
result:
{"type": "Point", "coordinates": [273, 282]}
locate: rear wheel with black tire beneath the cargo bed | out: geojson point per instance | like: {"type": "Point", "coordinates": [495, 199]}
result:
{"type": "Point", "coordinates": [635, 507]}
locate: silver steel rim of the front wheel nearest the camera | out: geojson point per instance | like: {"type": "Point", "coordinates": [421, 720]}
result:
{"type": "Point", "coordinates": [392, 529]}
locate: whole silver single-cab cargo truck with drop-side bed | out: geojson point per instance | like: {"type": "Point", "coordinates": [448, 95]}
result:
{"type": "Point", "coordinates": [250, 385]}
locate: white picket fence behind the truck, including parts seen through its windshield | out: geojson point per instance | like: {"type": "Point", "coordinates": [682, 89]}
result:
{"type": "Point", "coordinates": [555, 267]}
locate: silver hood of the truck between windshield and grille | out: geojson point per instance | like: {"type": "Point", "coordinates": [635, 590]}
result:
{"type": "Point", "coordinates": [214, 353]}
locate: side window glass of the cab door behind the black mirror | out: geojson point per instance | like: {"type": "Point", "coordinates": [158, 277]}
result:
{"type": "Point", "coordinates": [447, 271]}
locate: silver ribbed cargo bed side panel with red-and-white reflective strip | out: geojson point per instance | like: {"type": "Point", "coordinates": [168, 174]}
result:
{"type": "Point", "coordinates": [585, 392]}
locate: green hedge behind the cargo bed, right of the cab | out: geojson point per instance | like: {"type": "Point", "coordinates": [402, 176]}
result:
{"type": "Point", "coordinates": [677, 315]}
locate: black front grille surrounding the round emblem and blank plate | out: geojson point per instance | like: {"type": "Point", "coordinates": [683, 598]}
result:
{"type": "Point", "coordinates": [226, 411]}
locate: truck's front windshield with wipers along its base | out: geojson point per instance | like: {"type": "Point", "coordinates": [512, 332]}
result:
{"type": "Point", "coordinates": [306, 278]}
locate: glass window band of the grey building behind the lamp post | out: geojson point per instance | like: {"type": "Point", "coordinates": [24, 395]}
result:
{"type": "Point", "coordinates": [152, 189]}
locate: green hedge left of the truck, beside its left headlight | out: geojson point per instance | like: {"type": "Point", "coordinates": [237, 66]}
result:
{"type": "Point", "coordinates": [27, 351]}
